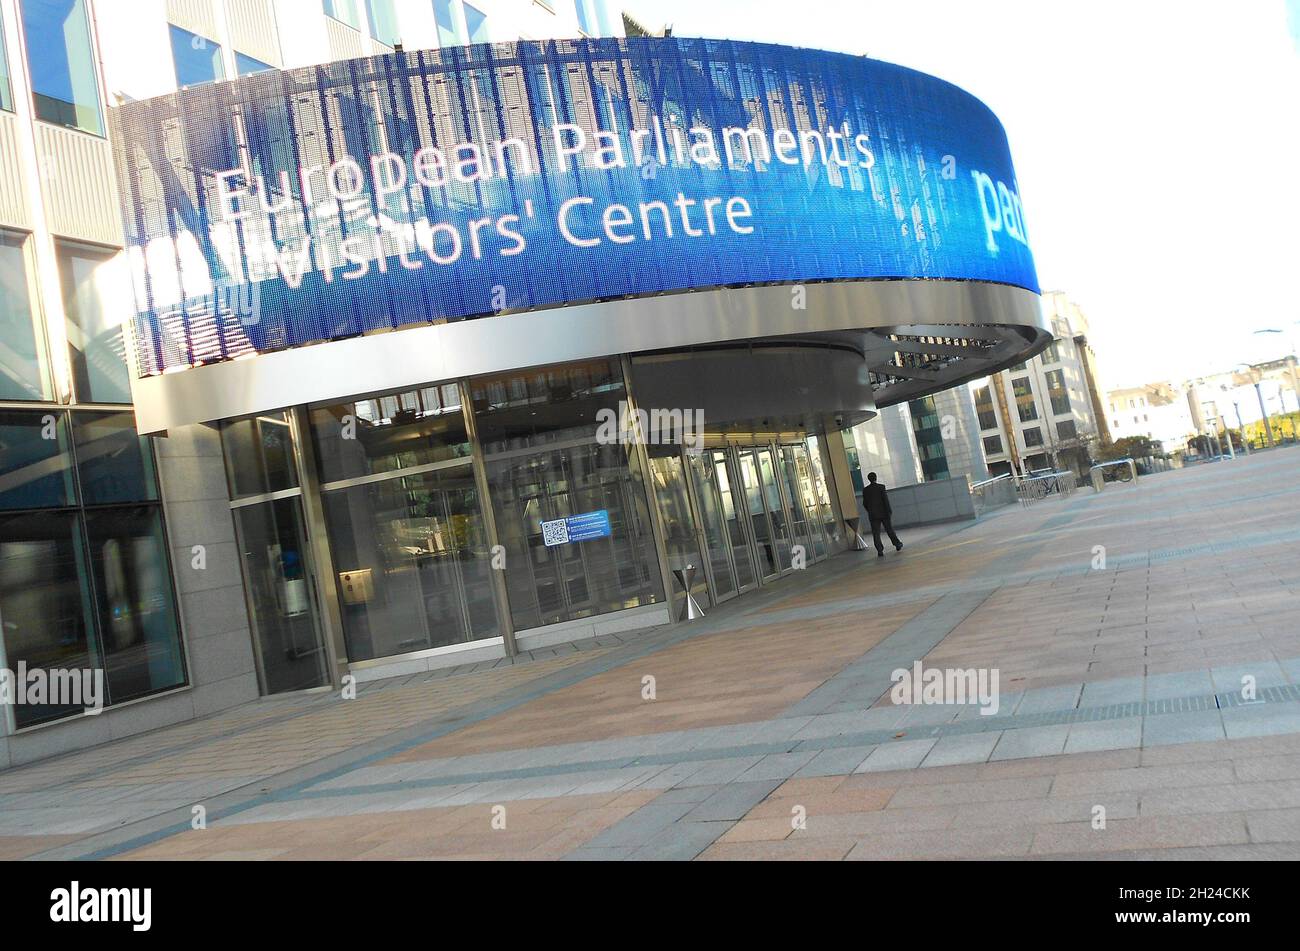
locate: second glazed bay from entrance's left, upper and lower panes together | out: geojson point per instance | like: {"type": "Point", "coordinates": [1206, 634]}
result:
{"type": "Point", "coordinates": [405, 523]}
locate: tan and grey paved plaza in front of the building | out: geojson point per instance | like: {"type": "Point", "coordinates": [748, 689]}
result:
{"type": "Point", "coordinates": [1149, 663]}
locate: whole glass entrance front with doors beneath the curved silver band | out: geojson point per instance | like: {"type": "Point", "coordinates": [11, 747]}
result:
{"type": "Point", "coordinates": [430, 518]}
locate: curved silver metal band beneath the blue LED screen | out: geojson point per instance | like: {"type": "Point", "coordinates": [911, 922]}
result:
{"type": "Point", "coordinates": [418, 357]}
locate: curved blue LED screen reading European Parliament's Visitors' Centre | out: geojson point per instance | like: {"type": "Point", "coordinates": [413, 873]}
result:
{"type": "Point", "coordinates": [296, 207]}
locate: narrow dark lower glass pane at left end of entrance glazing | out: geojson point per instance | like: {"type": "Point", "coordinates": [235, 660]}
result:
{"type": "Point", "coordinates": [278, 577]}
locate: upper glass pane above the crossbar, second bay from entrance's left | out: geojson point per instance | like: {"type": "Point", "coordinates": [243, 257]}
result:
{"type": "Point", "coordinates": [389, 433]}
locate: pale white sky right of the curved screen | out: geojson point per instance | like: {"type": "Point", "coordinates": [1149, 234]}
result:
{"type": "Point", "coordinates": [1158, 145]}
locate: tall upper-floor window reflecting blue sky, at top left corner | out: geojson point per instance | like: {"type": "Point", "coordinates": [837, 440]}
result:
{"type": "Point", "coordinates": [62, 64]}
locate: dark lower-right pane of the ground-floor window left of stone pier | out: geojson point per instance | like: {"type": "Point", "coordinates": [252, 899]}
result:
{"type": "Point", "coordinates": [135, 602]}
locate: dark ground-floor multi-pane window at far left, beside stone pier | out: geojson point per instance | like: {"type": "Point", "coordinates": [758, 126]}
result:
{"type": "Point", "coordinates": [85, 575]}
